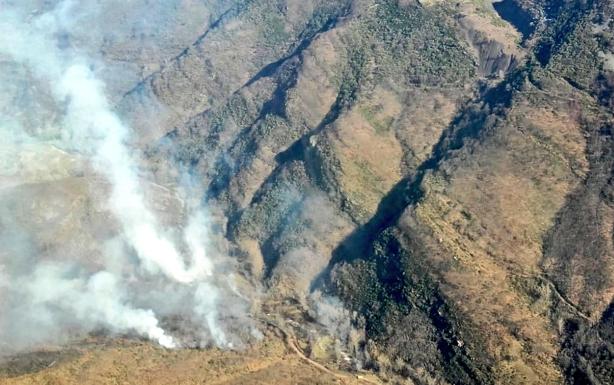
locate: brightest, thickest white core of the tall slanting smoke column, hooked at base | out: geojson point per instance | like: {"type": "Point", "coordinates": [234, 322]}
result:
{"type": "Point", "coordinates": [89, 111]}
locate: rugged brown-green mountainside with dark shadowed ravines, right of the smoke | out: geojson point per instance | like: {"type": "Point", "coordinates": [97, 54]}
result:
{"type": "Point", "coordinates": [447, 175]}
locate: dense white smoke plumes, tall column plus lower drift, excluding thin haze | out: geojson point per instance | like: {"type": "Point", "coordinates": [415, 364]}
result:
{"type": "Point", "coordinates": [54, 295]}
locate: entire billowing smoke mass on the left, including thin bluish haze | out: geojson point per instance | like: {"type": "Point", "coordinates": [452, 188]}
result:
{"type": "Point", "coordinates": [61, 134]}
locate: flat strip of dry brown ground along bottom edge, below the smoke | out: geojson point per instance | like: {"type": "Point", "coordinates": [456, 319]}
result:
{"type": "Point", "coordinates": [277, 359]}
